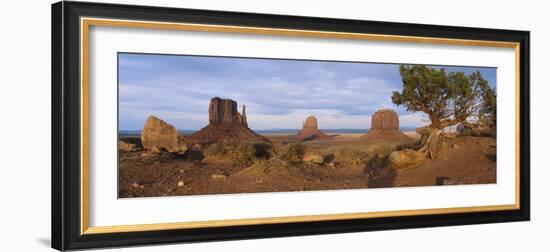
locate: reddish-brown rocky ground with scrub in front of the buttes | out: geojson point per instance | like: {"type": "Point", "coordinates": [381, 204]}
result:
{"type": "Point", "coordinates": [344, 161]}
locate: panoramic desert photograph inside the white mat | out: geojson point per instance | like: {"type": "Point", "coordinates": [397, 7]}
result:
{"type": "Point", "coordinates": [199, 125]}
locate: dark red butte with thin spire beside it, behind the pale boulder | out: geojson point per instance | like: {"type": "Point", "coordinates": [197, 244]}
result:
{"type": "Point", "coordinates": [225, 124]}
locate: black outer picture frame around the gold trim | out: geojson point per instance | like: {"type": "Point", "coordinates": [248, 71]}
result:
{"type": "Point", "coordinates": [66, 114]}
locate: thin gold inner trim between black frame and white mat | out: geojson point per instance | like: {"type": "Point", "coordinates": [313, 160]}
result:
{"type": "Point", "coordinates": [86, 23]}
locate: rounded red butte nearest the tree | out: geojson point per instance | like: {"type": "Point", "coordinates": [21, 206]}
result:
{"type": "Point", "coordinates": [385, 127]}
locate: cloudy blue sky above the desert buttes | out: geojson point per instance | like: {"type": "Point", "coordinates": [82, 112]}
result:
{"type": "Point", "coordinates": [278, 94]}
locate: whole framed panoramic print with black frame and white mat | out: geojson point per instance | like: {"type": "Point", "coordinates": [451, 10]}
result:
{"type": "Point", "coordinates": [180, 125]}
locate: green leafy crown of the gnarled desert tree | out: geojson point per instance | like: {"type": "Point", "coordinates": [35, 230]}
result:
{"type": "Point", "coordinates": [447, 98]}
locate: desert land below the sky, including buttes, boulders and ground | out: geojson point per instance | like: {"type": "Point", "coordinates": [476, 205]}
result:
{"type": "Point", "coordinates": [226, 156]}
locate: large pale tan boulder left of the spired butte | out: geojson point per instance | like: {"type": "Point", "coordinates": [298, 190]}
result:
{"type": "Point", "coordinates": [157, 135]}
